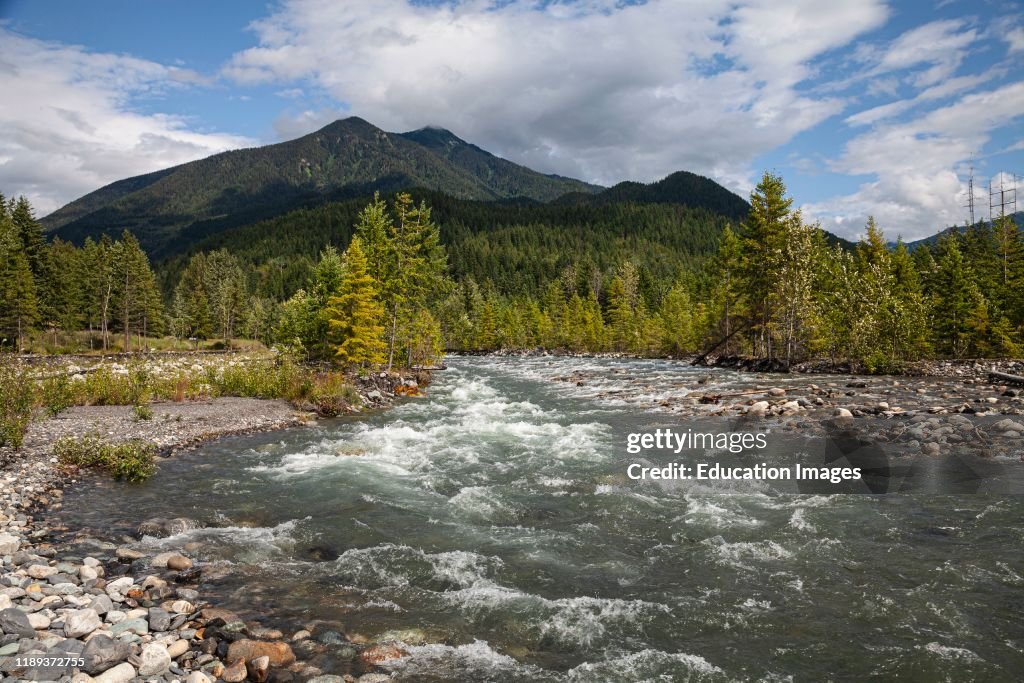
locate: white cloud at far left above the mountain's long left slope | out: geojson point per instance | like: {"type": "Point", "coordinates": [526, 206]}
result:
{"type": "Point", "coordinates": [68, 127]}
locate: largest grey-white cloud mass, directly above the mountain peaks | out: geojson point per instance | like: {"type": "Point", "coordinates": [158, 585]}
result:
{"type": "Point", "coordinates": [601, 91]}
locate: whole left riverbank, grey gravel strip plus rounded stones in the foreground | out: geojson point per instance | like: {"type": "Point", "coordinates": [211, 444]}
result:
{"type": "Point", "coordinates": [79, 609]}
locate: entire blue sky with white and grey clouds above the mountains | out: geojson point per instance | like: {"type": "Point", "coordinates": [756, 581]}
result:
{"type": "Point", "coordinates": [865, 107]}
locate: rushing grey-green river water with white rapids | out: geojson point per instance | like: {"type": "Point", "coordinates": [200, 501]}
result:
{"type": "Point", "coordinates": [491, 527]}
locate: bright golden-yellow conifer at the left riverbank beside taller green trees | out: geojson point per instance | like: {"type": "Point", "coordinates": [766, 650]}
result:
{"type": "Point", "coordinates": [356, 315]}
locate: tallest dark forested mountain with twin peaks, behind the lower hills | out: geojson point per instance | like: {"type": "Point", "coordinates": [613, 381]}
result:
{"type": "Point", "coordinates": [347, 159]}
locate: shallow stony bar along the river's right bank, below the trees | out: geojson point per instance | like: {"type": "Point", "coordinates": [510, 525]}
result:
{"type": "Point", "coordinates": [912, 416]}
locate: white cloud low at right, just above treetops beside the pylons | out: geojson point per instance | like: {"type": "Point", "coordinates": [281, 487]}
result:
{"type": "Point", "coordinates": [917, 192]}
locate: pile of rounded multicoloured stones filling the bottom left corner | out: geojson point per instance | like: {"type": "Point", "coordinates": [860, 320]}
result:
{"type": "Point", "coordinates": [77, 609]}
